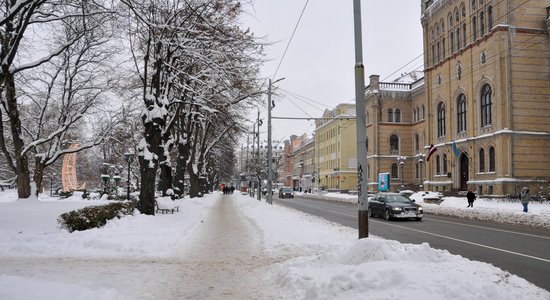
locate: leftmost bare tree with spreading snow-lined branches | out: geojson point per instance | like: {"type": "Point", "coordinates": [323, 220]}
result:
{"type": "Point", "coordinates": [17, 18]}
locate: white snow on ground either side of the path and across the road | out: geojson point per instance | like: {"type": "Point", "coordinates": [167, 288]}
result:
{"type": "Point", "coordinates": [311, 258]}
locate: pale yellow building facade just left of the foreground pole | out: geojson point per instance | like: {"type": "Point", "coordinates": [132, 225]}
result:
{"type": "Point", "coordinates": [336, 149]}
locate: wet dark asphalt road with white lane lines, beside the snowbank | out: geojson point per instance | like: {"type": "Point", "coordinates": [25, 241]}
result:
{"type": "Point", "coordinates": [518, 250]}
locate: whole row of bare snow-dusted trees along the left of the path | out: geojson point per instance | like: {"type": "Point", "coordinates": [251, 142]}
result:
{"type": "Point", "coordinates": [77, 70]}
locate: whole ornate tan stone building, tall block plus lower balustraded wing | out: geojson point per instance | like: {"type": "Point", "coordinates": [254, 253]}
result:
{"type": "Point", "coordinates": [484, 102]}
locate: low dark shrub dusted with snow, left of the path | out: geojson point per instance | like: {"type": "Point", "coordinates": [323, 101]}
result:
{"type": "Point", "coordinates": [94, 216]}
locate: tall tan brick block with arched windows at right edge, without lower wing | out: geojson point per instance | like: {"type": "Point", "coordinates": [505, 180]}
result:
{"type": "Point", "coordinates": [487, 81]}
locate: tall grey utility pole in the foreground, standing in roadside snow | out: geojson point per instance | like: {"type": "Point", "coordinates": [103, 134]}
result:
{"type": "Point", "coordinates": [362, 186]}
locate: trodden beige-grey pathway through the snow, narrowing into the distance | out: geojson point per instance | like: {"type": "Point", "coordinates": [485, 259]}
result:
{"type": "Point", "coordinates": [225, 259]}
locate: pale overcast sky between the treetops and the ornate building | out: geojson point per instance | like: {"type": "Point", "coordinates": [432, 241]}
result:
{"type": "Point", "coordinates": [319, 63]}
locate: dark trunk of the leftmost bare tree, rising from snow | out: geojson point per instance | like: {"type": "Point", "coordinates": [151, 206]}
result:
{"type": "Point", "coordinates": [21, 161]}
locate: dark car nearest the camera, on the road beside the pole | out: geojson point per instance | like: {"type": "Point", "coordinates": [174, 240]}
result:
{"type": "Point", "coordinates": [394, 205]}
